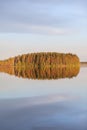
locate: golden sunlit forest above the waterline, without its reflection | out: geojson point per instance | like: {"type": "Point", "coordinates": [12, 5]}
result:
{"type": "Point", "coordinates": [42, 59]}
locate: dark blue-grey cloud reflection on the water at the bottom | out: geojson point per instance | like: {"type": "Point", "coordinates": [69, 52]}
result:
{"type": "Point", "coordinates": [42, 113]}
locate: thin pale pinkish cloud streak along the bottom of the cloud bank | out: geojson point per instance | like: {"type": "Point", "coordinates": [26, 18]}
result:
{"type": "Point", "coordinates": [38, 29]}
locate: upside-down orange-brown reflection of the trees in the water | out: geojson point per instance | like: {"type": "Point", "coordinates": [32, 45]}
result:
{"type": "Point", "coordinates": [45, 72]}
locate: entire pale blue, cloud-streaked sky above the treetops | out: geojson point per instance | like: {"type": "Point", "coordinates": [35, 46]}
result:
{"type": "Point", "coordinates": [43, 25]}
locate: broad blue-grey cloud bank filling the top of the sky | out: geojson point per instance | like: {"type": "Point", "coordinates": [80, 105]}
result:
{"type": "Point", "coordinates": [41, 16]}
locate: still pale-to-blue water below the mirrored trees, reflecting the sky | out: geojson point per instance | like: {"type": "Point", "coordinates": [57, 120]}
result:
{"type": "Point", "coordinates": [59, 104]}
